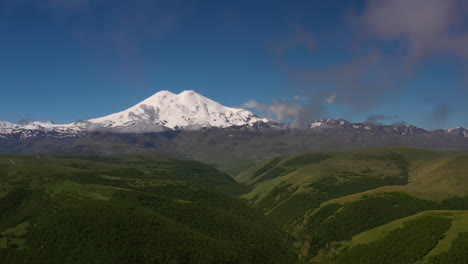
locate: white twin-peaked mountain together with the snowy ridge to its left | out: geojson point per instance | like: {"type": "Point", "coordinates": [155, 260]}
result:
{"type": "Point", "coordinates": [164, 110]}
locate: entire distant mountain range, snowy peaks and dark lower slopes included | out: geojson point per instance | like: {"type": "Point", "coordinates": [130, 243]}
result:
{"type": "Point", "coordinates": [192, 125]}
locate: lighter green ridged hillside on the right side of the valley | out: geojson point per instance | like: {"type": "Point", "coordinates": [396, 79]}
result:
{"type": "Point", "coordinates": [332, 200]}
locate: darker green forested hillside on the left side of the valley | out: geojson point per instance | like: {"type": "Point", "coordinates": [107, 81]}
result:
{"type": "Point", "coordinates": [132, 209]}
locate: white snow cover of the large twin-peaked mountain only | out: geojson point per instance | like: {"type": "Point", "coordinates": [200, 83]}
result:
{"type": "Point", "coordinates": [188, 110]}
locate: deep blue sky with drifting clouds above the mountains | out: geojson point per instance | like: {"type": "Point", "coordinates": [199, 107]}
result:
{"type": "Point", "coordinates": [65, 60]}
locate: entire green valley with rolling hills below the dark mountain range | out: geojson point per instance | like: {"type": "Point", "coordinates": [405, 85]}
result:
{"type": "Point", "coordinates": [314, 207]}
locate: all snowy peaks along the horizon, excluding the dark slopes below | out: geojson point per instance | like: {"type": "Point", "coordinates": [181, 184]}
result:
{"type": "Point", "coordinates": [189, 110]}
